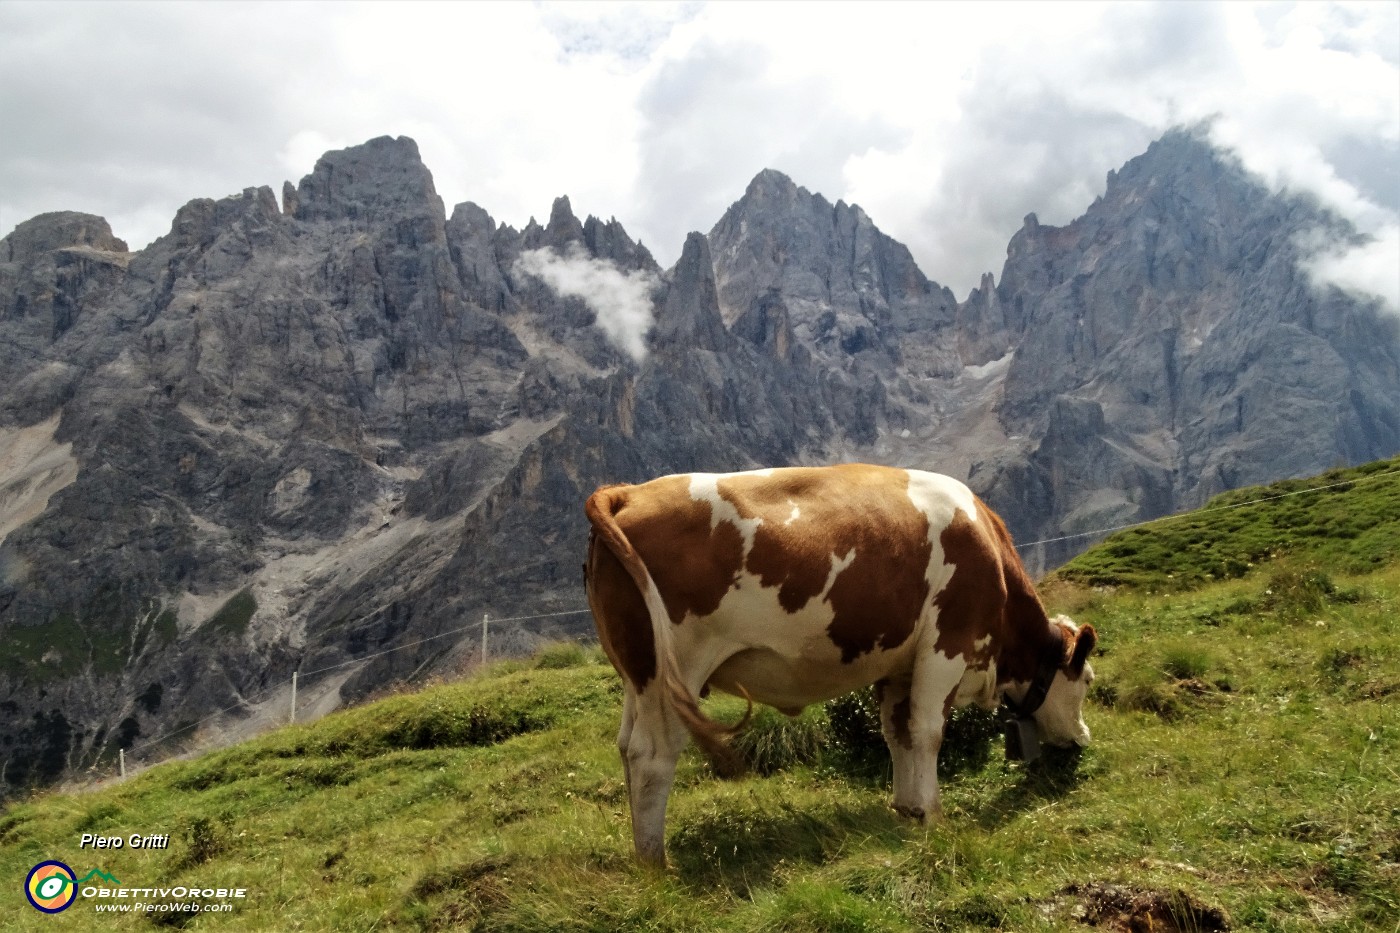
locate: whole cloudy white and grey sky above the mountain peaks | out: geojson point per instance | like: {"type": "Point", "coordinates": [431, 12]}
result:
{"type": "Point", "coordinates": [947, 123]}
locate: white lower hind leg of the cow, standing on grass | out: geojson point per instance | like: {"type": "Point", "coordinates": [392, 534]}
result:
{"type": "Point", "coordinates": [653, 749]}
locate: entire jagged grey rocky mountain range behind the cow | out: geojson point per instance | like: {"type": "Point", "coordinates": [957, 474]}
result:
{"type": "Point", "coordinates": [293, 436]}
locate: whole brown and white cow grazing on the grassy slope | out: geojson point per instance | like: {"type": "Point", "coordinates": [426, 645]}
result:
{"type": "Point", "coordinates": [794, 586]}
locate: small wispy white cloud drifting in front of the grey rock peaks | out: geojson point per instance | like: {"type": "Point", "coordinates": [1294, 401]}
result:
{"type": "Point", "coordinates": [622, 300]}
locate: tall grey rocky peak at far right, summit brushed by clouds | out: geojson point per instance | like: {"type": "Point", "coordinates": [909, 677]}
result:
{"type": "Point", "coordinates": [1177, 306]}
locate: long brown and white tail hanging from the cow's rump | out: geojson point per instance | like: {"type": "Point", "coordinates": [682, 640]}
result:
{"type": "Point", "coordinates": [713, 738]}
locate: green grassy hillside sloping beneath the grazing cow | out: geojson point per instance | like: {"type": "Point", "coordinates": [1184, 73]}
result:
{"type": "Point", "coordinates": [1244, 777]}
